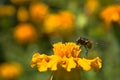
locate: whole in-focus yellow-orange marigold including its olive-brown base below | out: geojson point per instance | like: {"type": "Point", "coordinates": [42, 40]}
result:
{"type": "Point", "coordinates": [65, 63]}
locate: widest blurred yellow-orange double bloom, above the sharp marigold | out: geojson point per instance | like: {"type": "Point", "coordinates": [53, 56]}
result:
{"type": "Point", "coordinates": [61, 23]}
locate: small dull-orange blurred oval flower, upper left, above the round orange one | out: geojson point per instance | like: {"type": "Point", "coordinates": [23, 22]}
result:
{"type": "Point", "coordinates": [22, 14]}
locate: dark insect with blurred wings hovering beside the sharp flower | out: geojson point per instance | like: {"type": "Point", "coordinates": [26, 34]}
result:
{"type": "Point", "coordinates": [88, 44]}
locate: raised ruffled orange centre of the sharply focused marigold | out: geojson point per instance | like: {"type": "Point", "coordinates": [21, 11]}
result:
{"type": "Point", "coordinates": [66, 50]}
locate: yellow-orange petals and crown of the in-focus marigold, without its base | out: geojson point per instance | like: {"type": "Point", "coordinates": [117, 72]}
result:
{"type": "Point", "coordinates": [65, 56]}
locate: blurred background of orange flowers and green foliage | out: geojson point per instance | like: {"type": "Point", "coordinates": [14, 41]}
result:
{"type": "Point", "coordinates": [30, 26]}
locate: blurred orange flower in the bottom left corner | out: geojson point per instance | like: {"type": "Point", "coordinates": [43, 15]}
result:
{"type": "Point", "coordinates": [10, 70]}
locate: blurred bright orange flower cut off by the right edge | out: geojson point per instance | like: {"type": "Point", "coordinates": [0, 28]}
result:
{"type": "Point", "coordinates": [111, 14]}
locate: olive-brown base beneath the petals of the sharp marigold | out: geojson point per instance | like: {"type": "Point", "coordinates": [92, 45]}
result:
{"type": "Point", "coordinates": [62, 74]}
